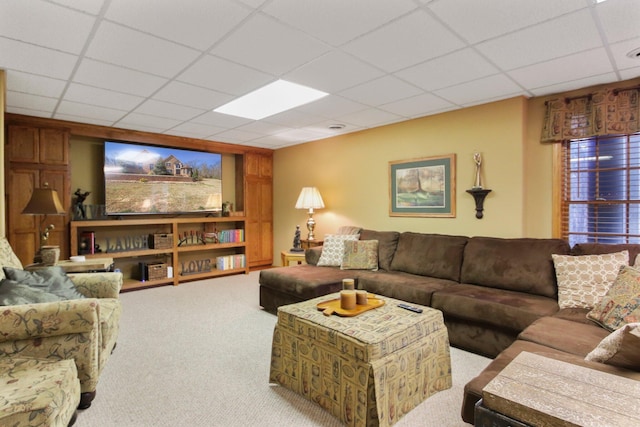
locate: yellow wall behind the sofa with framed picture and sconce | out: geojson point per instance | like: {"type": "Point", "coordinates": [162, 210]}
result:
{"type": "Point", "coordinates": [352, 174]}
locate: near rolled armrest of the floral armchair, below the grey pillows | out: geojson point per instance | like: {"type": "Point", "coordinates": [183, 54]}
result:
{"type": "Point", "coordinates": [51, 319]}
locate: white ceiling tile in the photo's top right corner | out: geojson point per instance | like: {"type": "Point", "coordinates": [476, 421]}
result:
{"type": "Point", "coordinates": [619, 26]}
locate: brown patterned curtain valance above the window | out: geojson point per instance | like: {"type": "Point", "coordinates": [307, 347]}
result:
{"type": "Point", "coordinates": [605, 112]}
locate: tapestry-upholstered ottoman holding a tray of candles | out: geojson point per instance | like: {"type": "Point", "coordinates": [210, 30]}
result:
{"type": "Point", "coordinates": [367, 370]}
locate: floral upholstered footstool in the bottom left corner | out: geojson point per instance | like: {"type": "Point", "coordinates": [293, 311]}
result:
{"type": "Point", "coordinates": [38, 392]}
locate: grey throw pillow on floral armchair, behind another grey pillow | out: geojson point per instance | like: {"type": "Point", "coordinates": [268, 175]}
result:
{"type": "Point", "coordinates": [49, 279]}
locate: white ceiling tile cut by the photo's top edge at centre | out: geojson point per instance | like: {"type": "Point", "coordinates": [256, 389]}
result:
{"type": "Point", "coordinates": [337, 21]}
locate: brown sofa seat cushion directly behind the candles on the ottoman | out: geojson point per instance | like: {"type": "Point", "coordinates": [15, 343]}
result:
{"type": "Point", "coordinates": [403, 286]}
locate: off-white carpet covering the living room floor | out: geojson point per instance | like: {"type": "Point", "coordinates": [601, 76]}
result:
{"type": "Point", "coordinates": [198, 355]}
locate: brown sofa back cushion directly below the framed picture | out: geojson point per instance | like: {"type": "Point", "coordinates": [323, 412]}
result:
{"type": "Point", "coordinates": [432, 255]}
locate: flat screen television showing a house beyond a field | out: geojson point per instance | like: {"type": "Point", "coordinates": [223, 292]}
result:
{"type": "Point", "coordinates": [149, 179]}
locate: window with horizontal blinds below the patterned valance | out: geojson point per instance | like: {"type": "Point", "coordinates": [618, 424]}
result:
{"type": "Point", "coordinates": [601, 189]}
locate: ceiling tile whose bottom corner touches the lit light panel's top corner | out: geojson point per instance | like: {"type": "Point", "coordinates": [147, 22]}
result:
{"type": "Point", "coordinates": [265, 44]}
